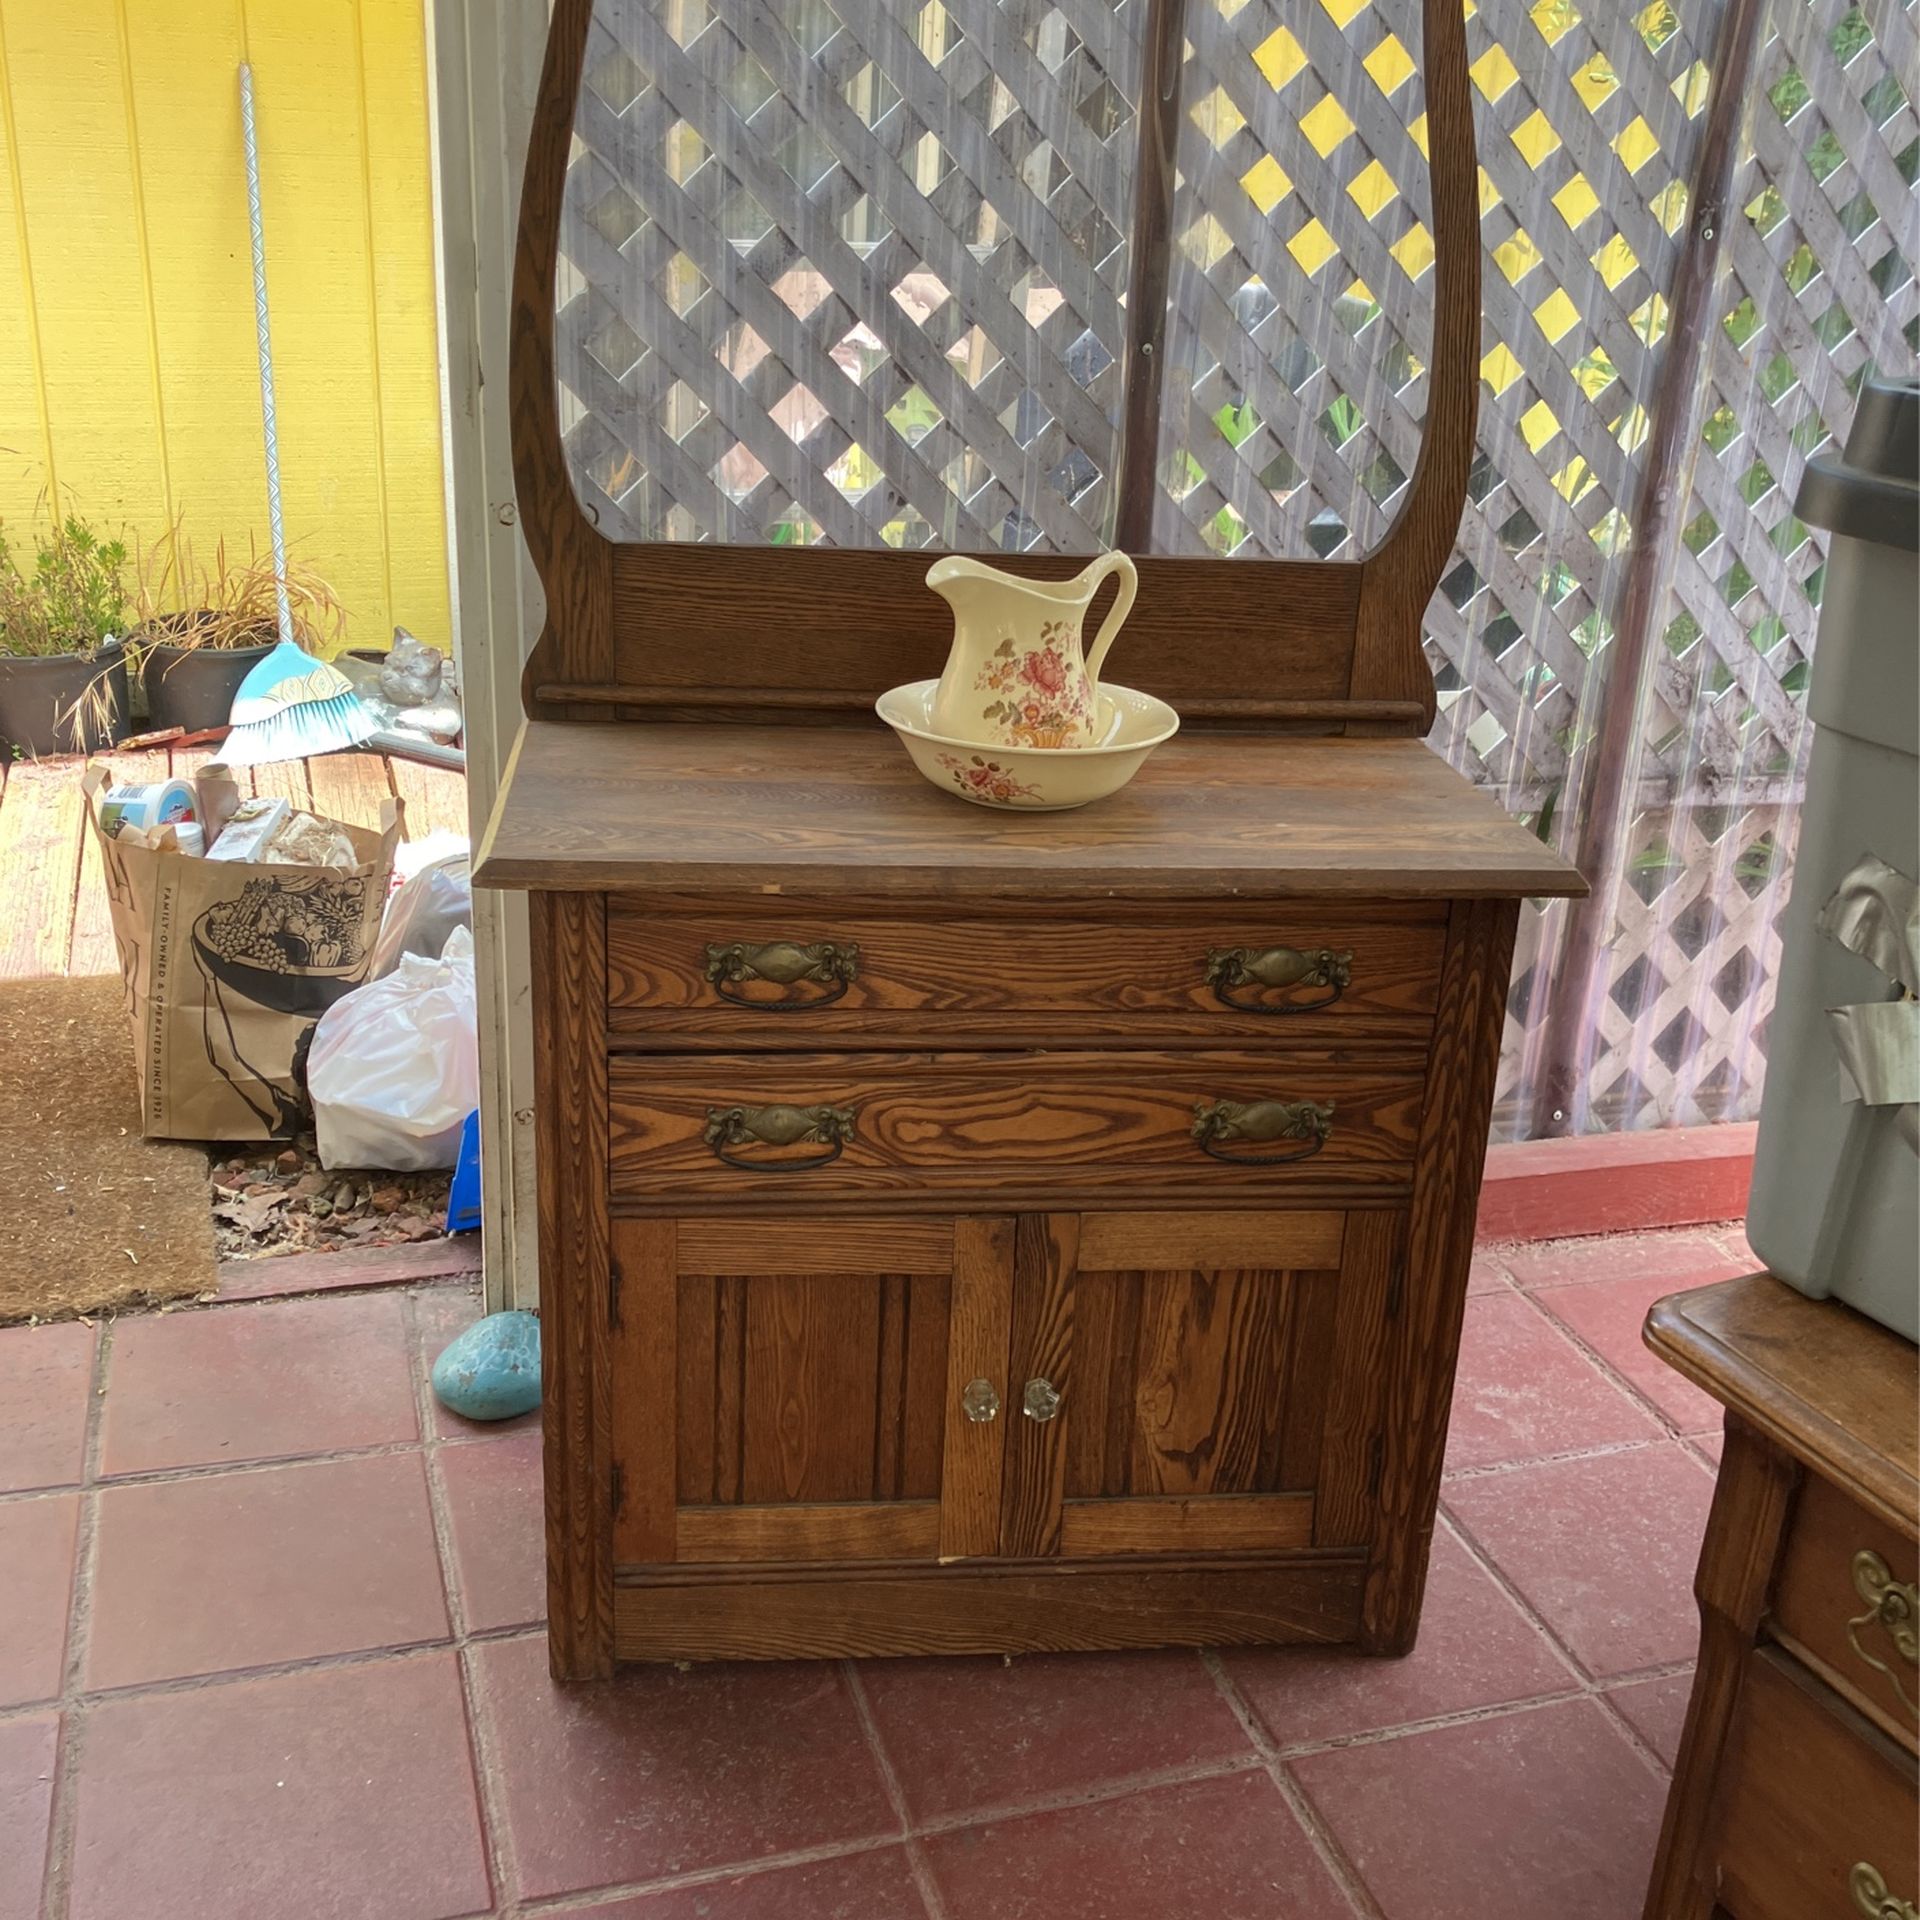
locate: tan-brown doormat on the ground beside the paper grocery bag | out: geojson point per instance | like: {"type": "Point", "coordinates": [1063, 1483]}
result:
{"type": "Point", "coordinates": [93, 1216]}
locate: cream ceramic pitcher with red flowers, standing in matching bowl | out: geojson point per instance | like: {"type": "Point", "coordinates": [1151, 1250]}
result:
{"type": "Point", "coordinates": [1017, 675]}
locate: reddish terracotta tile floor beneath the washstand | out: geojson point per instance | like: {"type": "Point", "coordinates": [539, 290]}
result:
{"type": "Point", "coordinates": [270, 1650]}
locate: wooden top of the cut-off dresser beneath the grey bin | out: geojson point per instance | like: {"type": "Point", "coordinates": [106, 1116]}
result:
{"type": "Point", "coordinates": [1838, 1391]}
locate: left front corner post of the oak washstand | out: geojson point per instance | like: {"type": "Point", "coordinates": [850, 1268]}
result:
{"type": "Point", "coordinates": [569, 967]}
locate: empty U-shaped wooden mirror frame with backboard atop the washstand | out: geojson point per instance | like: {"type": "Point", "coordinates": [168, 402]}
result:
{"type": "Point", "coordinates": [834, 625]}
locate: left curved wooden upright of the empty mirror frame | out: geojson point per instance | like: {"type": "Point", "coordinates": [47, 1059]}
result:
{"type": "Point", "coordinates": [571, 556]}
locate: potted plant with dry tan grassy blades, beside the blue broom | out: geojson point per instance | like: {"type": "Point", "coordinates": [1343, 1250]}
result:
{"type": "Point", "coordinates": [203, 629]}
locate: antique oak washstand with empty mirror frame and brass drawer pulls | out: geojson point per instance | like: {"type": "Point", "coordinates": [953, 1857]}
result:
{"type": "Point", "coordinates": [951, 1236]}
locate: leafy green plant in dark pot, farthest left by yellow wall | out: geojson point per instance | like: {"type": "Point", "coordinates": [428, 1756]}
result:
{"type": "Point", "coordinates": [62, 656]}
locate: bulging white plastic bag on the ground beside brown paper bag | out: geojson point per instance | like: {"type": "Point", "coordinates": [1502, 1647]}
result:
{"type": "Point", "coordinates": [396, 1065]}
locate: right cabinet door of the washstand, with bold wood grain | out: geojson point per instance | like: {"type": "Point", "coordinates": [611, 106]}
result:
{"type": "Point", "coordinates": [1184, 1381]}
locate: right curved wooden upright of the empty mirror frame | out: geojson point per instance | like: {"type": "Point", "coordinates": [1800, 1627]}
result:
{"type": "Point", "coordinates": [1401, 575]}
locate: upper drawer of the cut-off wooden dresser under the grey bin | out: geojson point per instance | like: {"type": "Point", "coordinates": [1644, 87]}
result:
{"type": "Point", "coordinates": [1846, 1604]}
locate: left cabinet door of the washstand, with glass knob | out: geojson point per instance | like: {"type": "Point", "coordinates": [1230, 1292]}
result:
{"type": "Point", "coordinates": [807, 1389]}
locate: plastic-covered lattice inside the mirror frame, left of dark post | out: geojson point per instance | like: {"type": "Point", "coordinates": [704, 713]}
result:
{"type": "Point", "coordinates": [850, 276]}
